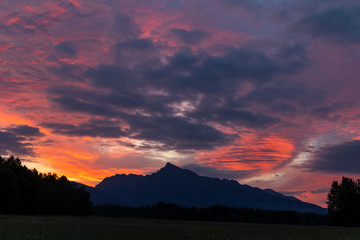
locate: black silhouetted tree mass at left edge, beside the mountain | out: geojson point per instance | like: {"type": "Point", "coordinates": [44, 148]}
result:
{"type": "Point", "coordinates": [25, 191]}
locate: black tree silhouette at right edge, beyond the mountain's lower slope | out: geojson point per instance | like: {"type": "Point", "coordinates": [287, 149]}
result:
{"type": "Point", "coordinates": [344, 202]}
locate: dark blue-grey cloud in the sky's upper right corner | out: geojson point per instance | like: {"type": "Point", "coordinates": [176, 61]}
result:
{"type": "Point", "coordinates": [339, 24]}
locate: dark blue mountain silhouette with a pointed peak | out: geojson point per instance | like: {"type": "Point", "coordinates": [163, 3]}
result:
{"type": "Point", "coordinates": [181, 186]}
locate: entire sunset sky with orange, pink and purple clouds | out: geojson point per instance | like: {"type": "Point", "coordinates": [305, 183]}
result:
{"type": "Point", "coordinates": [264, 92]}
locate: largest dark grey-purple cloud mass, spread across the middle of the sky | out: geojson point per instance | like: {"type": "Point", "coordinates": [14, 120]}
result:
{"type": "Point", "coordinates": [125, 93]}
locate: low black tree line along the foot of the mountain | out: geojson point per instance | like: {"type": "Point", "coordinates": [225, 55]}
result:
{"type": "Point", "coordinates": [222, 213]}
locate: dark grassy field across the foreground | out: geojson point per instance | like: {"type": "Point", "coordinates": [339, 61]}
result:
{"type": "Point", "coordinates": [77, 228]}
